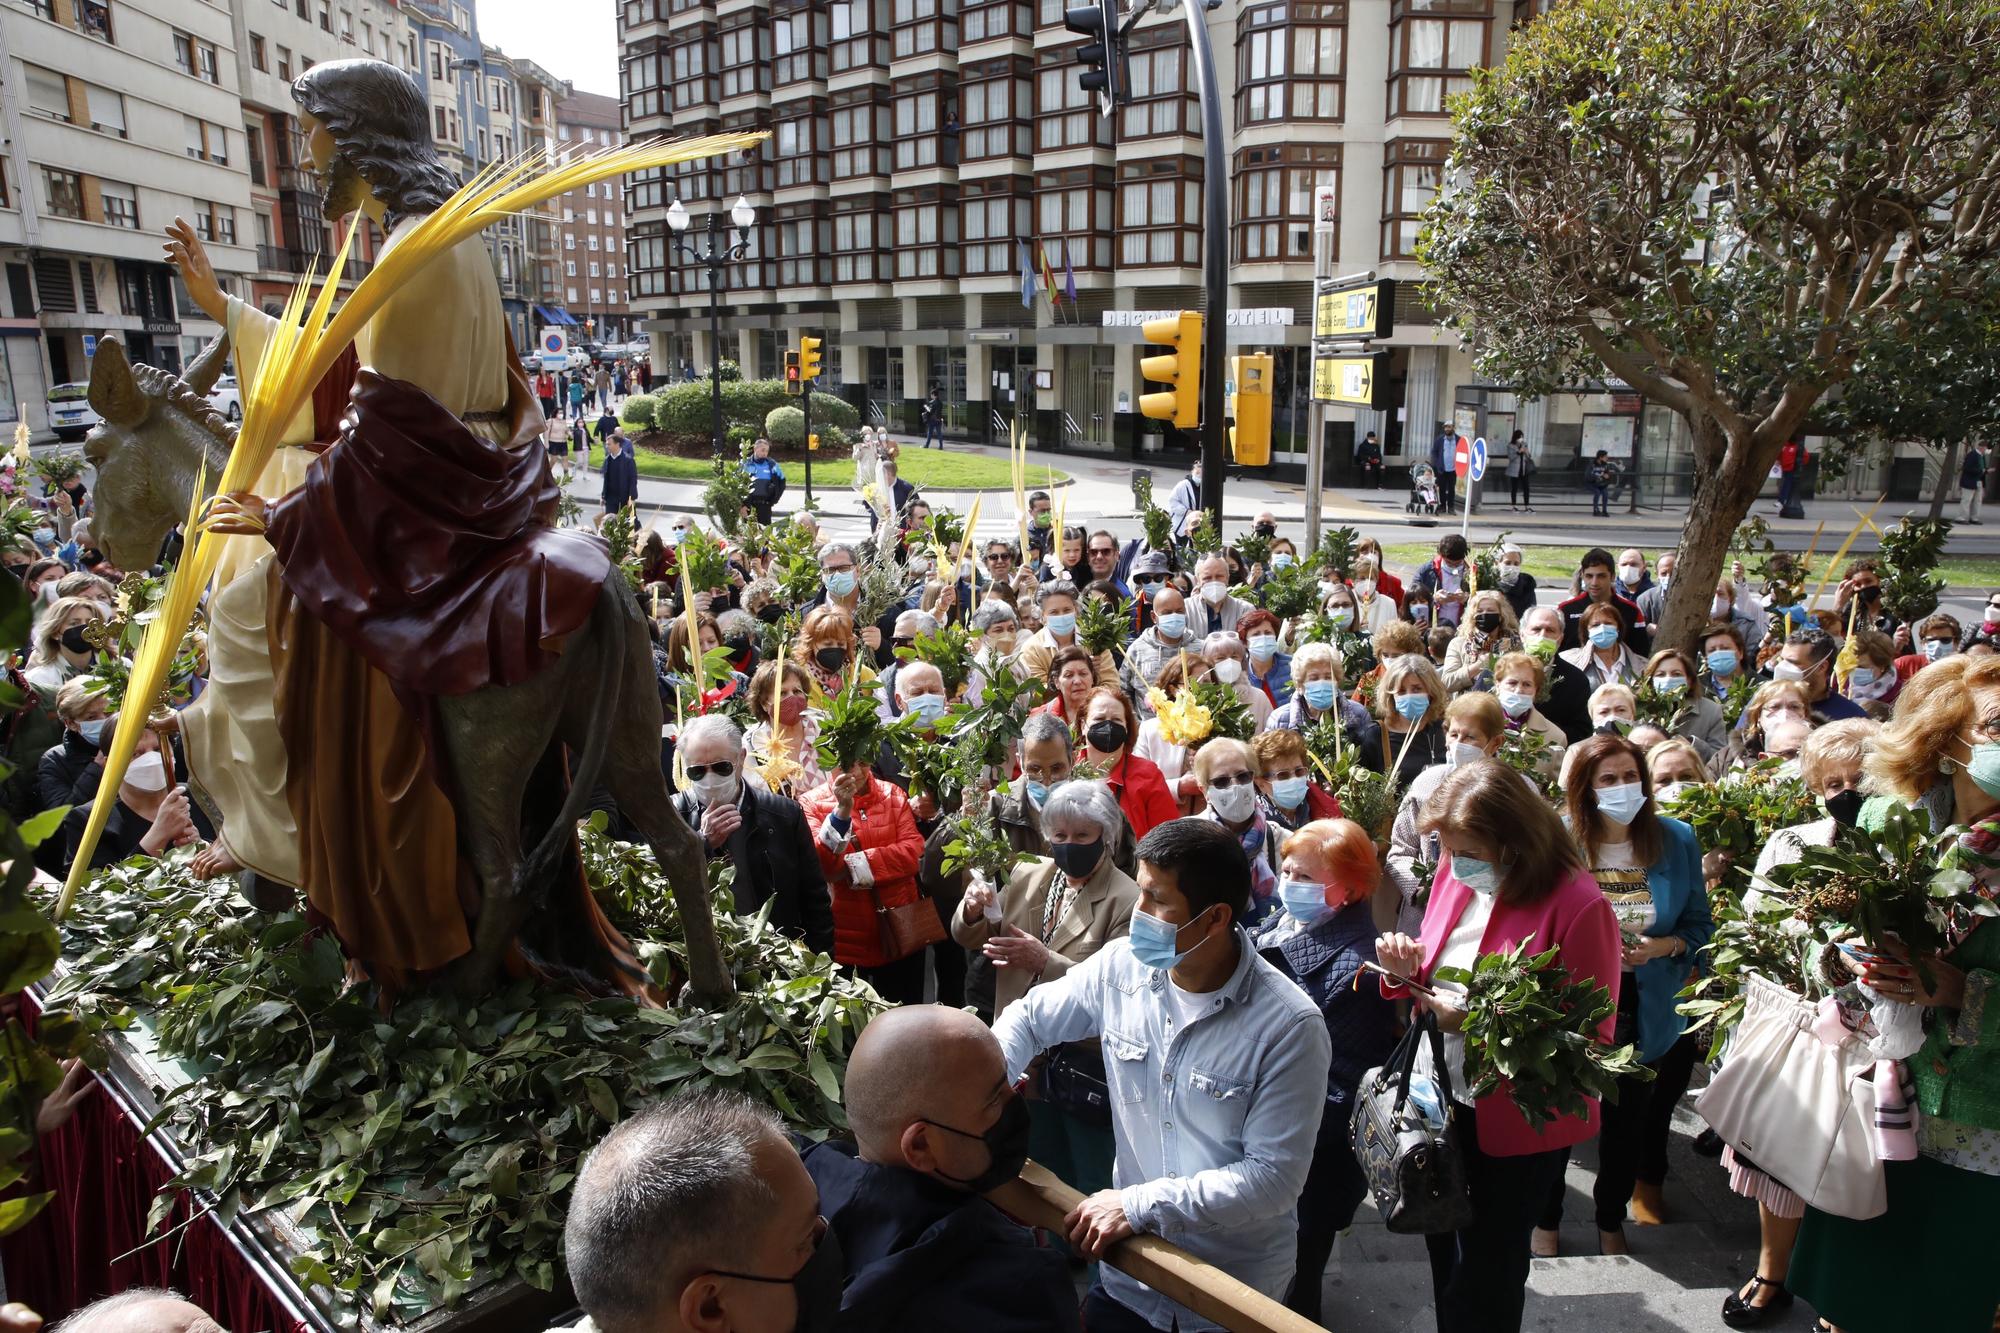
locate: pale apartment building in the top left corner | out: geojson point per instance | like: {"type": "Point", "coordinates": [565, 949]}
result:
{"type": "Point", "coordinates": [117, 121]}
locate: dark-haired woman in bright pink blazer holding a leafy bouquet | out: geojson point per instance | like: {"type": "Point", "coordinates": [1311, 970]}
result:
{"type": "Point", "coordinates": [1509, 874]}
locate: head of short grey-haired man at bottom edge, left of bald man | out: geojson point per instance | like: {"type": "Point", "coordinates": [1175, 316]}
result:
{"type": "Point", "coordinates": [697, 1216]}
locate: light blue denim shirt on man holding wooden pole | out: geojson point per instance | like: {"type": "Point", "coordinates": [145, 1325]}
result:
{"type": "Point", "coordinates": [1215, 1122]}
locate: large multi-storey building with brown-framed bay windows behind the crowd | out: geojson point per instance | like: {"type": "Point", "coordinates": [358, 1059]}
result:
{"type": "Point", "coordinates": [923, 151]}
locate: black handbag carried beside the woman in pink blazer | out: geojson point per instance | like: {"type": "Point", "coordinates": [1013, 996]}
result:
{"type": "Point", "coordinates": [1415, 1172]}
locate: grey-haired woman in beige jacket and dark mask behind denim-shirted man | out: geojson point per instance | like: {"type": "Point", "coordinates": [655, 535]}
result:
{"type": "Point", "coordinates": [1053, 914]}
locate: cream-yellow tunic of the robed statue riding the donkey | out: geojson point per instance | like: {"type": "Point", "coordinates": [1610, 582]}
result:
{"type": "Point", "coordinates": [443, 331]}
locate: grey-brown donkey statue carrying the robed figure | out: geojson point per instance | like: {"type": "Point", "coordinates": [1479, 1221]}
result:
{"type": "Point", "coordinates": [601, 698]}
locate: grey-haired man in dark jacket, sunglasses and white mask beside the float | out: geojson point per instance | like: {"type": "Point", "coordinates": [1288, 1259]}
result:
{"type": "Point", "coordinates": [759, 832]}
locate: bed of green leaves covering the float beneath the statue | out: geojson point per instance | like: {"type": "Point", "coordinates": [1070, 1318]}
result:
{"type": "Point", "coordinates": [435, 1154]}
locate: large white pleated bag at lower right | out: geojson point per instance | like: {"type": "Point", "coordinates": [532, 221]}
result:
{"type": "Point", "coordinates": [1797, 1108]}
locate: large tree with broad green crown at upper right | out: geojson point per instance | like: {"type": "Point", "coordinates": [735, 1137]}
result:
{"type": "Point", "coordinates": [1731, 205]}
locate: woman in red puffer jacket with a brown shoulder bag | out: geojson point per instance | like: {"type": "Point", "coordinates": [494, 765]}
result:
{"type": "Point", "coordinates": [869, 848]}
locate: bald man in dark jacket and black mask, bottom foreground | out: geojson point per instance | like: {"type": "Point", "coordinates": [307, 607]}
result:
{"type": "Point", "coordinates": [935, 1124]}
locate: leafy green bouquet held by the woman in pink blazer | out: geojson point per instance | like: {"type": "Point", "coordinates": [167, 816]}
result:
{"type": "Point", "coordinates": [1535, 1028]}
